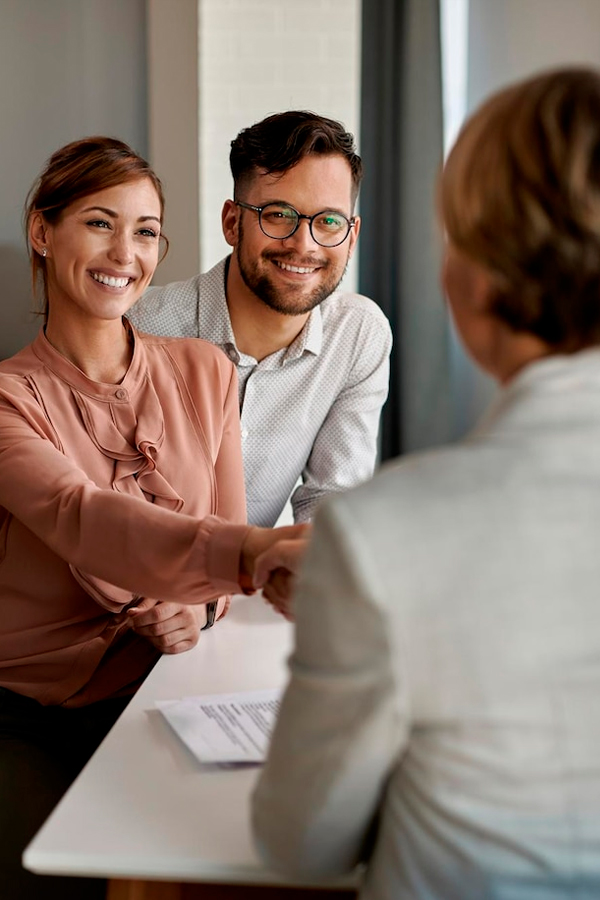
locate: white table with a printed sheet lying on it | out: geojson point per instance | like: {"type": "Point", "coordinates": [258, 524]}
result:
{"type": "Point", "coordinates": [144, 808]}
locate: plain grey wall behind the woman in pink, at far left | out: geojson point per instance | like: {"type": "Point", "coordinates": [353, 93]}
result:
{"type": "Point", "coordinates": [68, 68]}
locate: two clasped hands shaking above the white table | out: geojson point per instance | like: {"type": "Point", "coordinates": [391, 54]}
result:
{"type": "Point", "coordinates": [270, 560]}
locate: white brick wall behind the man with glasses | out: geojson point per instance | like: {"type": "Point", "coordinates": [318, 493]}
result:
{"type": "Point", "coordinates": [258, 57]}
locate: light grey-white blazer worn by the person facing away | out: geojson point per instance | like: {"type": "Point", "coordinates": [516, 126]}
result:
{"type": "Point", "coordinates": [445, 683]}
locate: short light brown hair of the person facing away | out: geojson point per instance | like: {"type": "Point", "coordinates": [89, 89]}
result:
{"type": "Point", "coordinates": [520, 194]}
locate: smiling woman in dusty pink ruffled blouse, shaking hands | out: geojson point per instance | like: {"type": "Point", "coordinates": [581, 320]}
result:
{"type": "Point", "coordinates": [122, 511]}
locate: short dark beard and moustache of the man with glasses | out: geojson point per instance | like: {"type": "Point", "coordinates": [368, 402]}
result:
{"type": "Point", "coordinates": [292, 300]}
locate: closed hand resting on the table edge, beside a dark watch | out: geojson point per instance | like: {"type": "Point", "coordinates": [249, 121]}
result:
{"type": "Point", "coordinates": [170, 627]}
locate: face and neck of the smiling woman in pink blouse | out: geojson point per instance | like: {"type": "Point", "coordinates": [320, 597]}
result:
{"type": "Point", "coordinates": [99, 256]}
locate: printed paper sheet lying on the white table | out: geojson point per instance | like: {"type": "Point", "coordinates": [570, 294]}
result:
{"type": "Point", "coordinates": [224, 728]}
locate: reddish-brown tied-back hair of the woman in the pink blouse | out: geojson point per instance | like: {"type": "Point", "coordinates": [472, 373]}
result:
{"type": "Point", "coordinates": [80, 168]}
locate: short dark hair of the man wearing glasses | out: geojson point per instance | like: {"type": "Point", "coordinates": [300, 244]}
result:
{"type": "Point", "coordinates": [280, 141]}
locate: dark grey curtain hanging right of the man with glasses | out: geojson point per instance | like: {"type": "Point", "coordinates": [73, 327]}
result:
{"type": "Point", "coordinates": [401, 144]}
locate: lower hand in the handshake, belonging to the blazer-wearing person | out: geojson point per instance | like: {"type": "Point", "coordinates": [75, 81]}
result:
{"type": "Point", "coordinates": [275, 571]}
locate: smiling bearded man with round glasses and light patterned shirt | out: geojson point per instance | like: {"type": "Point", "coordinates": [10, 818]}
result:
{"type": "Point", "coordinates": [313, 362]}
